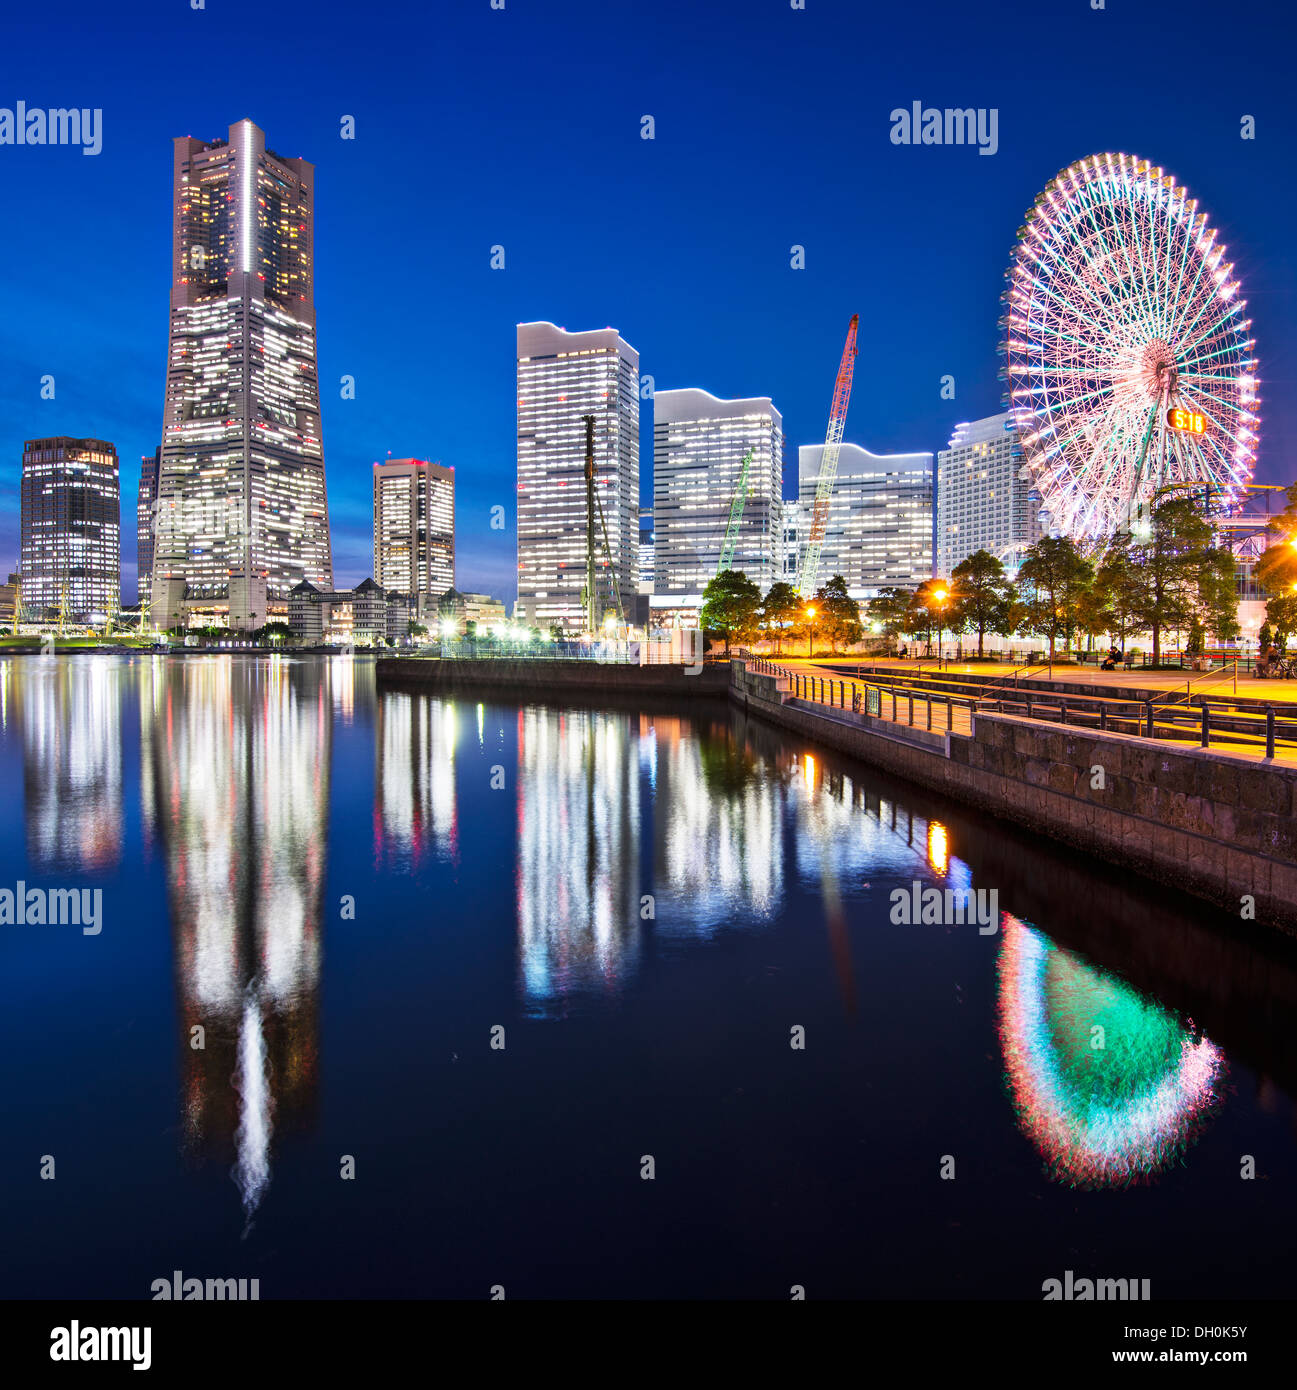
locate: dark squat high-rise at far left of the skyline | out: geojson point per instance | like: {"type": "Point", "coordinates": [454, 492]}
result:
{"type": "Point", "coordinates": [72, 529]}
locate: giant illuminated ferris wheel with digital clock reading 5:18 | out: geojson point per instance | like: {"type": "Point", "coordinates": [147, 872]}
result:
{"type": "Point", "coordinates": [1129, 350]}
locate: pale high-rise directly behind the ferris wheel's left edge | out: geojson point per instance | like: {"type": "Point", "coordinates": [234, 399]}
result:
{"type": "Point", "coordinates": [984, 502]}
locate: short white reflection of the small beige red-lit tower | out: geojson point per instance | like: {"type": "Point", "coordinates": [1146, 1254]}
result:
{"type": "Point", "coordinates": [415, 803]}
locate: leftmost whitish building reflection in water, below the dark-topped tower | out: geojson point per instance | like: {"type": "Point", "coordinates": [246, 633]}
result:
{"type": "Point", "coordinates": [70, 711]}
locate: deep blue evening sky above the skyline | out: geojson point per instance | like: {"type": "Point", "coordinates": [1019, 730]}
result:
{"type": "Point", "coordinates": [522, 127]}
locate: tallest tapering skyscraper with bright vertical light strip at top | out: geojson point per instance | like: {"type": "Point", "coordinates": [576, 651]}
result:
{"type": "Point", "coordinates": [243, 511]}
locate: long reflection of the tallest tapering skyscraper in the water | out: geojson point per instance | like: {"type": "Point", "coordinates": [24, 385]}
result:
{"type": "Point", "coordinates": [237, 761]}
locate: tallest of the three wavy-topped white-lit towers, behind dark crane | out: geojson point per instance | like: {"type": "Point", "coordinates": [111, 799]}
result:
{"type": "Point", "coordinates": [562, 379]}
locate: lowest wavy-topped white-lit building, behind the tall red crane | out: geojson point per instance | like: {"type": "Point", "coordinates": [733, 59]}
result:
{"type": "Point", "coordinates": [881, 518]}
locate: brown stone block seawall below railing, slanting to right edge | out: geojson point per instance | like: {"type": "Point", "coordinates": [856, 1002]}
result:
{"type": "Point", "coordinates": [1213, 824]}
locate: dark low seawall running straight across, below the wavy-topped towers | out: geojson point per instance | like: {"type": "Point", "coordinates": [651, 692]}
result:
{"type": "Point", "coordinates": [576, 679]}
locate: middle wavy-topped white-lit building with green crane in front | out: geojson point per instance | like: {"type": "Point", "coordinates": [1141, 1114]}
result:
{"type": "Point", "coordinates": [700, 444]}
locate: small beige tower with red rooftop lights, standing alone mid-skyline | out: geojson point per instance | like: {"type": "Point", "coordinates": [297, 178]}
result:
{"type": "Point", "coordinates": [415, 526]}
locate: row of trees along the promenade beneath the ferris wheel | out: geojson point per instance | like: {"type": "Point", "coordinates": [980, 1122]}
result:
{"type": "Point", "coordinates": [1170, 576]}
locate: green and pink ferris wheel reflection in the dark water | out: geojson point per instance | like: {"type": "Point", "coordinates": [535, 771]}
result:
{"type": "Point", "coordinates": [1103, 1117]}
